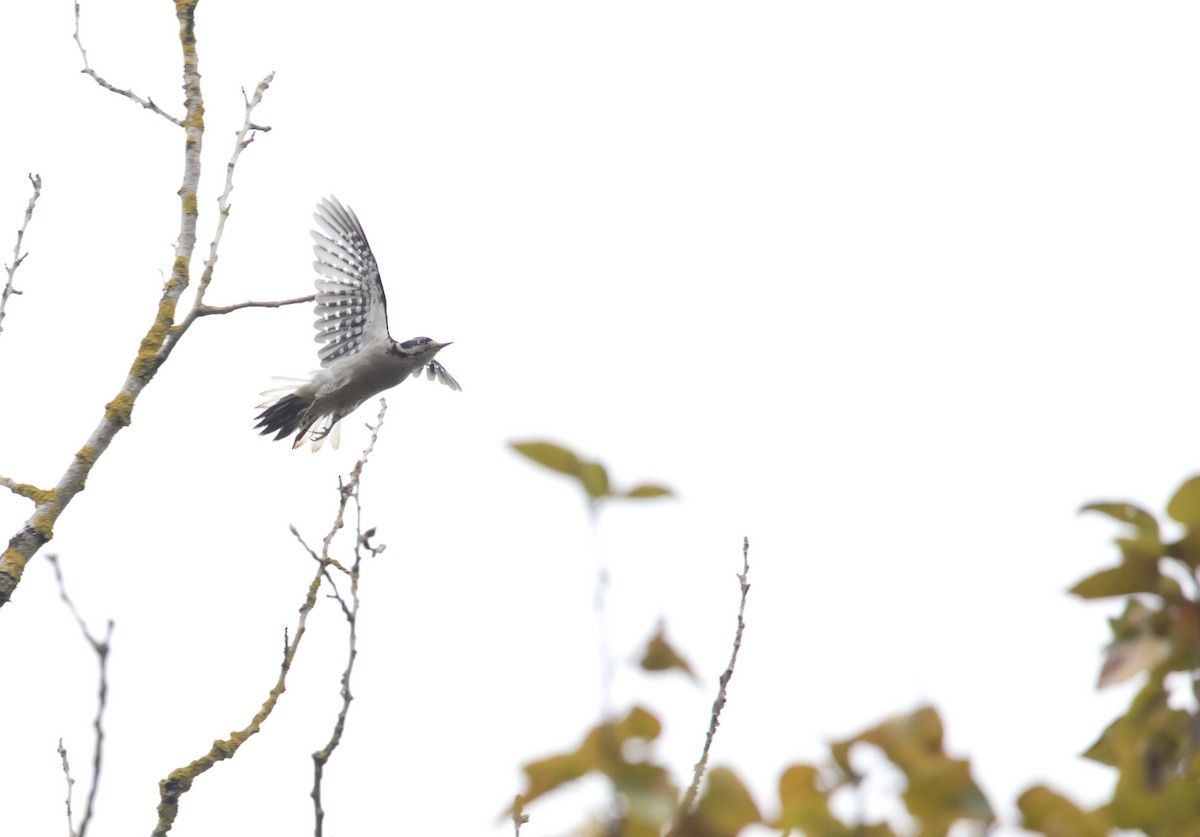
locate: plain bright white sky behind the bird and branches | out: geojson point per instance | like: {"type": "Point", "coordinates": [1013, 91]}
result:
{"type": "Point", "coordinates": [890, 288]}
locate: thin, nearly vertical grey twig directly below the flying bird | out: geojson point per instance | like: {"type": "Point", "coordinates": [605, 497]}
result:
{"type": "Point", "coordinates": [351, 611]}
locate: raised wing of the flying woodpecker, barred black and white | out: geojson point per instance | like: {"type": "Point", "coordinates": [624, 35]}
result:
{"type": "Point", "coordinates": [352, 310]}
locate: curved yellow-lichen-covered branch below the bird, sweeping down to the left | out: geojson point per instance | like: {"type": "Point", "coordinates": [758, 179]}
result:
{"type": "Point", "coordinates": [181, 781]}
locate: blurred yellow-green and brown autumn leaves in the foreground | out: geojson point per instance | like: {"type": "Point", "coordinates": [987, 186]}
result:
{"type": "Point", "coordinates": [1153, 746]}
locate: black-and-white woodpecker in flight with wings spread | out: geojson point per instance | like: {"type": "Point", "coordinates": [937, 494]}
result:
{"type": "Point", "coordinates": [359, 358]}
